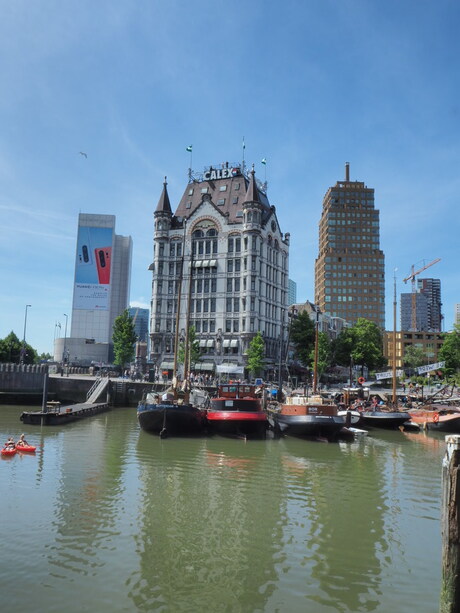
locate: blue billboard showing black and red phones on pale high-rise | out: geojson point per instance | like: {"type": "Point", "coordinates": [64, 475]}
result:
{"type": "Point", "coordinates": [93, 268]}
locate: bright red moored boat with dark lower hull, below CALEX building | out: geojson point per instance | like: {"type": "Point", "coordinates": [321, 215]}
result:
{"type": "Point", "coordinates": [237, 411]}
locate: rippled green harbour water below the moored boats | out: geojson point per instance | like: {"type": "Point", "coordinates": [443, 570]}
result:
{"type": "Point", "coordinates": [106, 517]}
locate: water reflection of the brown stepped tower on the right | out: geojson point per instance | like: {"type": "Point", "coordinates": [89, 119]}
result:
{"type": "Point", "coordinates": [333, 535]}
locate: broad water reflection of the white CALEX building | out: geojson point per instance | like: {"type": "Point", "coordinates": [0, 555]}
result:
{"type": "Point", "coordinates": [204, 536]}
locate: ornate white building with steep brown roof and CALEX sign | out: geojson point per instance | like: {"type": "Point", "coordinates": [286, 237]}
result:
{"type": "Point", "coordinates": [226, 238]}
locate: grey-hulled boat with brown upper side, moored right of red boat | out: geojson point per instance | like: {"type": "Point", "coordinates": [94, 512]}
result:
{"type": "Point", "coordinates": [303, 416]}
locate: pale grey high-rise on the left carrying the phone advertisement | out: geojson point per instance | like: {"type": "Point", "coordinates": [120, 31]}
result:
{"type": "Point", "coordinates": [100, 291]}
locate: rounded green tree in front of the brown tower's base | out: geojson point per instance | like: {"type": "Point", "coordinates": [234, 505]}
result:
{"type": "Point", "coordinates": [363, 343]}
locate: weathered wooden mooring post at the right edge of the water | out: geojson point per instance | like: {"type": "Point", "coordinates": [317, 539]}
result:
{"type": "Point", "coordinates": [450, 527]}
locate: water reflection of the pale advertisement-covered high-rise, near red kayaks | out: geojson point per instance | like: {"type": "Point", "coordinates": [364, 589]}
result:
{"type": "Point", "coordinates": [91, 460]}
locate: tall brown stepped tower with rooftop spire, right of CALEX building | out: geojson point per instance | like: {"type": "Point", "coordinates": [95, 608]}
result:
{"type": "Point", "coordinates": [350, 267]}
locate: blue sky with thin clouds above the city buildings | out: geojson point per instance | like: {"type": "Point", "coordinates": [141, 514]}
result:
{"type": "Point", "coordinates": [309, 84]}
